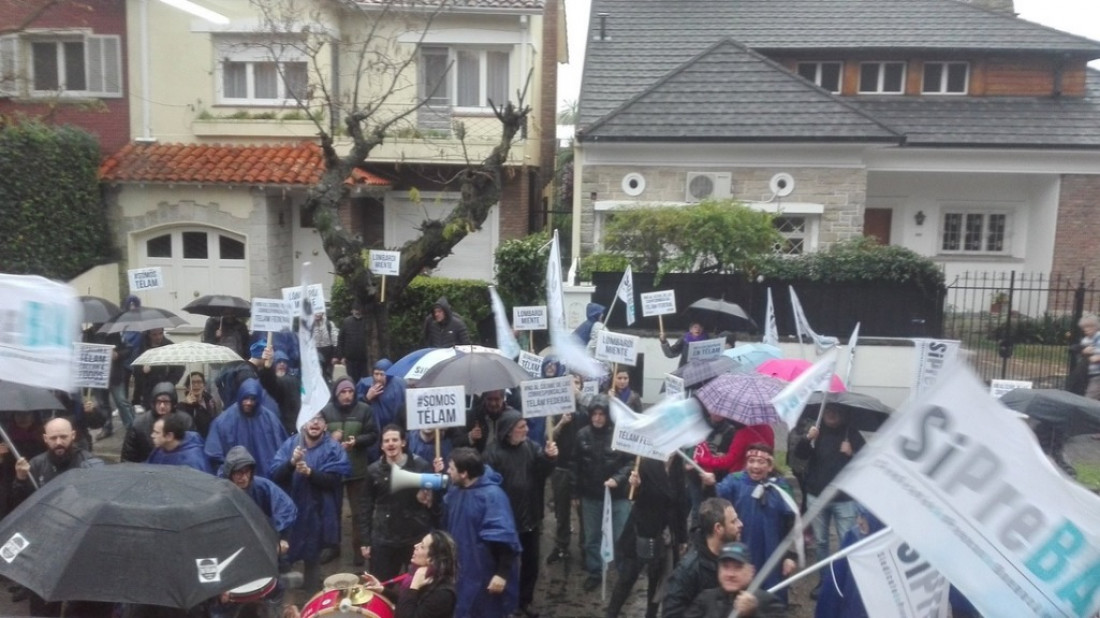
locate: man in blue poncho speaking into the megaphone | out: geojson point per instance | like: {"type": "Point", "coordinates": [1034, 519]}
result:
{"type": "Point", "coordinates": [479, 516]}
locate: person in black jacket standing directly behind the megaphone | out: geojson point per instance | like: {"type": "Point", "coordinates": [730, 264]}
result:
{"type": "Point", "coordinates": [394, 517]}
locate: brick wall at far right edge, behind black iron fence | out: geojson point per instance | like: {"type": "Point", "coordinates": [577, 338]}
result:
{"type": "Point", "coordinates": [1074, 242]}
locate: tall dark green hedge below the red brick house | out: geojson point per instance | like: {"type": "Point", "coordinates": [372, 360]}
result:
{"type": "Point", "coordinates": [54, 218]}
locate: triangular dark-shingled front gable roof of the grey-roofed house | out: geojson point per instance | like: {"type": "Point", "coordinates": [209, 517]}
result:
{"type": "Point", "coordinates": [730, 93]}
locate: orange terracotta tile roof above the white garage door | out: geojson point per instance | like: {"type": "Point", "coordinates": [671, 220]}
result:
{"type": "Point", "coordinates": [288, 164]}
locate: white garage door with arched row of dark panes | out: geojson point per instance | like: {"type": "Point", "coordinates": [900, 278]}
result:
{"type": "Point", "coordinates": [195, 261]}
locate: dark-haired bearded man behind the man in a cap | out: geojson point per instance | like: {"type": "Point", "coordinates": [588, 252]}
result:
{"type": "Point", "coordinates": [699, 570]}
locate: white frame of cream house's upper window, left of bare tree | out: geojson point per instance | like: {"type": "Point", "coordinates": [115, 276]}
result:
{"type": "Point", "coordinates": [251, 52]}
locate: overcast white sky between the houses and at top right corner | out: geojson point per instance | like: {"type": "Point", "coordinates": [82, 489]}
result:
{"type": "Point", "coordinates": [1080, 17]}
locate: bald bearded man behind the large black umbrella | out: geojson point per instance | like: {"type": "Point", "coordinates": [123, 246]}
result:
{"type": "Point", "coordinates": [62, 456]}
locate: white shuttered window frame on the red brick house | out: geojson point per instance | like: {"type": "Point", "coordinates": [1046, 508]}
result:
{"type": "Point", "coordinates": [103, 57]}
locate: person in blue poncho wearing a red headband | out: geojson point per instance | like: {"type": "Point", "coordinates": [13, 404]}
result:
{"type": "Point", "coordinates": [767, 515]}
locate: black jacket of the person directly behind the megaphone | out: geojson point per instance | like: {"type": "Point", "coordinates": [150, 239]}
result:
{"type": "Point", "coordinates": [393, 518]}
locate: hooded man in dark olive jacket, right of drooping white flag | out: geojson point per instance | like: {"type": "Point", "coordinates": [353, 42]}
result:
{"type": "Point", "coordinates": [351, 424]}
